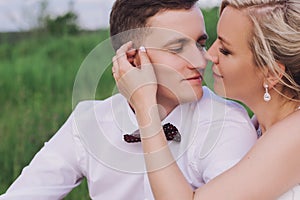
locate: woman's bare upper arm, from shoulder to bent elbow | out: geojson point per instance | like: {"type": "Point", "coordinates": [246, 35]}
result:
{"type": "Point", "coordinates": [269, 169]}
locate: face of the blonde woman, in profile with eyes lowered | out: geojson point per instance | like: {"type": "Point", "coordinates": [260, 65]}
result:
{"type": "Point", "coordinates": [235, 73]}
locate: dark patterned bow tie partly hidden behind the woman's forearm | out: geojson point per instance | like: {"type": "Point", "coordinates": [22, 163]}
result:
{"type": "Point", "coordinates": [171, 133]}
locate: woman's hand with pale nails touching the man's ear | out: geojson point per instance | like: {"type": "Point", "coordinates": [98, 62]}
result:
{"type": "Point", "coordinates": [134, 75]}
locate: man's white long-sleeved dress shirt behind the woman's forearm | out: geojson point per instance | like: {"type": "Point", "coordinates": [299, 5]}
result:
{"type": "Point", "coordinates": [215, 133]}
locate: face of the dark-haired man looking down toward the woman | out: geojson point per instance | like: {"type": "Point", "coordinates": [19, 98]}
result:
{"type": "Point", "coordinates": [175, 45]}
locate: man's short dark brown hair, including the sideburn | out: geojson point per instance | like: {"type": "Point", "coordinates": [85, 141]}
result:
{"type": "Point", "coordinates": [133, 14]}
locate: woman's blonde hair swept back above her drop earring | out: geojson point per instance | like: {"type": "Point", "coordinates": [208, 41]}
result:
{"type": "Point", "coordinates": [275, 38]}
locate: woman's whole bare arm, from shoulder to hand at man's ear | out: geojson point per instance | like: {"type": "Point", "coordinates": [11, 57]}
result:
{"type": "Point", "coordinates": [267, 171]}
